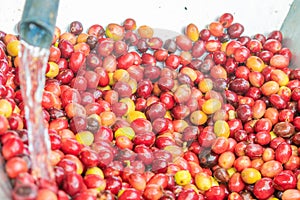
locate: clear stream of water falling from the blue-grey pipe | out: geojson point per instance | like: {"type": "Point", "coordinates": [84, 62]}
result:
{"type": "Point", "coordinates": [33, 62]}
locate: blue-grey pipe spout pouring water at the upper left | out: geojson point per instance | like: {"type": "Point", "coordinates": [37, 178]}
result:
{"type": "Point", "coordinates": [38, 22]}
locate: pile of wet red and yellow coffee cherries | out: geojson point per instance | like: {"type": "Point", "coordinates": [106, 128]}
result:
{"type": "Point", "coordinates": [208, 114]}
